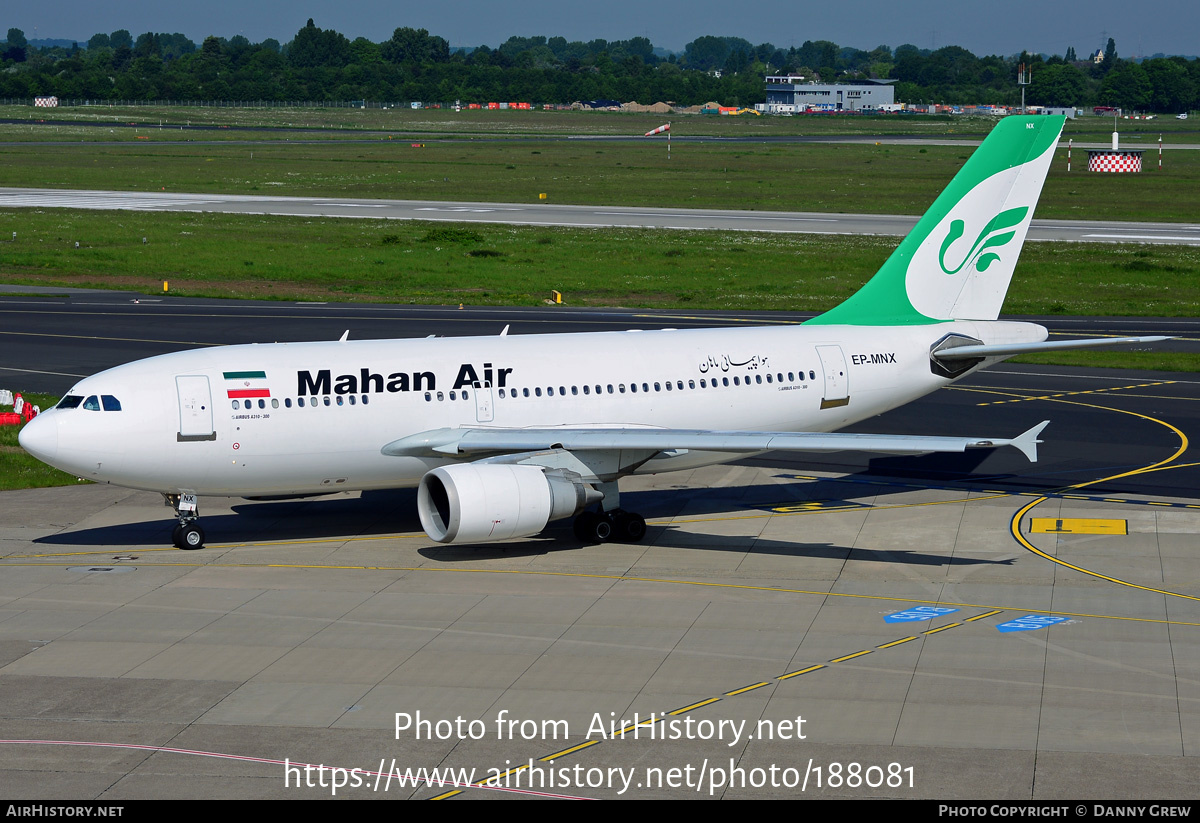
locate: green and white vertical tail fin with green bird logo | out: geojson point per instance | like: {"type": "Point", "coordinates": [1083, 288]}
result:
{"type": "Point", "coordinates": [958, 261]}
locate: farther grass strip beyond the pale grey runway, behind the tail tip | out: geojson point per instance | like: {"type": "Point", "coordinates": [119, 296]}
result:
{"type": "Point", "coordinates": [890, 179]}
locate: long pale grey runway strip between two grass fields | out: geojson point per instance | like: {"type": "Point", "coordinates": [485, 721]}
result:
{"type": "Point", "coordinates": [544, 214]}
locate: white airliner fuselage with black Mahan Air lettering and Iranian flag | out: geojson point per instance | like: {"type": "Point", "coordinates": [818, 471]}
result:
{"type": "Point", "coordinates": [311, 418]}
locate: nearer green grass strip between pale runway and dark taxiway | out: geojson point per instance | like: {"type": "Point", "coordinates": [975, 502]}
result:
{"type": "Point", "coordinates": [296, 259]}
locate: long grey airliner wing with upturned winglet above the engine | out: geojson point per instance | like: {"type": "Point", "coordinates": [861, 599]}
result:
{"type": "Point", "coordinates": [469, 442]}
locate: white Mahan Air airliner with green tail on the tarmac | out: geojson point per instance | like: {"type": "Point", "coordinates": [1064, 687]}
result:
{"type": "Point", "coordinates": [505, 435]}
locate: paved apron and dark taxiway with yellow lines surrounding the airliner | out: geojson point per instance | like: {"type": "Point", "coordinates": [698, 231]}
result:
{"type": "Point", "coordinates": [1051, 653]}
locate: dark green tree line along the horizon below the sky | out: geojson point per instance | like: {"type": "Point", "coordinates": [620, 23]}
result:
{"type": "Point", "coordinates": [413, 65]}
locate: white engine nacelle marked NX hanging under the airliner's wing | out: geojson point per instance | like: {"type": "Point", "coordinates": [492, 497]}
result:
{"type": "Point", "coordinates": [477, 503]}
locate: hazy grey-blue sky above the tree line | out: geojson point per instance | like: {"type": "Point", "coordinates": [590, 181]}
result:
{"type": "Point", "coordinates": [1000, 28]}
